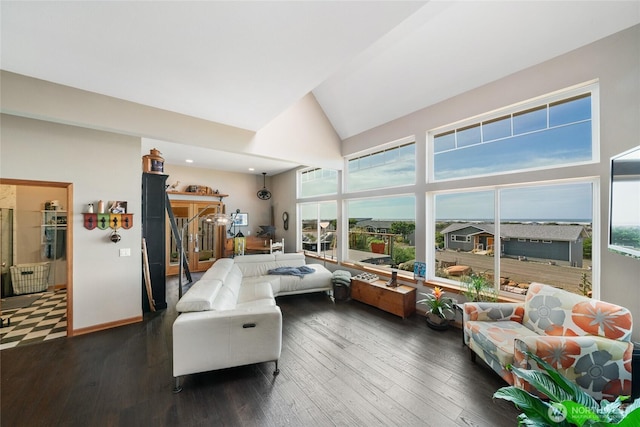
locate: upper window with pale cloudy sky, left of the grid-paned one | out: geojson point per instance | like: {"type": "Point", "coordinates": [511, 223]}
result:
{"type": "Point", "coordinates": [391, 167]}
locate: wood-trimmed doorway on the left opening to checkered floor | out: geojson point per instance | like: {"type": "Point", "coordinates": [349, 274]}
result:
{"type": "Point", "coordinates": [37, 243]}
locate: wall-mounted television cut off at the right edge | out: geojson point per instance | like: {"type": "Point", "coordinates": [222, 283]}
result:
{"type": "Point", "coordinates": [624, 203]}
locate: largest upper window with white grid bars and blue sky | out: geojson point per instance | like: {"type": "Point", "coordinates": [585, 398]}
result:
{"type": "Point", "coordinates": [550, 133]}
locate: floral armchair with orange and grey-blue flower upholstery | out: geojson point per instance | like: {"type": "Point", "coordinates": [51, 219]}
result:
{"type": "Point", "coordinates": [588, 341]}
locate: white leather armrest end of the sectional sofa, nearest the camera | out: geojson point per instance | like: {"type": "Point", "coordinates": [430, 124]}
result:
{"type": "Point", "coordinates": [209, 340]}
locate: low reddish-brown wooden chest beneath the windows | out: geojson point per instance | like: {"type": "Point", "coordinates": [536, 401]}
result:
{"type": "Point", "coordinates": [400, 301]}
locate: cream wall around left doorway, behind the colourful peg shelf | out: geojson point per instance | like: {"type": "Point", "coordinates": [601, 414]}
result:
{"type": "Point", "coordinates": [101, 165]}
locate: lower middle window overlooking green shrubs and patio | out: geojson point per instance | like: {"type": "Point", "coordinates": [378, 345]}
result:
{"type": "Point", "coordinates": [381, 231]}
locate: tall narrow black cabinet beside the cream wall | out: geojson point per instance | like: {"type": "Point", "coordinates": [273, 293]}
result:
{"type": "Point", "coordinates": [154, 211]}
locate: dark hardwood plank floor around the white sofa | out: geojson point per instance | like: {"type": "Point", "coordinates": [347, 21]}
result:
{"type": "Point", "coordinates": [344, 364]}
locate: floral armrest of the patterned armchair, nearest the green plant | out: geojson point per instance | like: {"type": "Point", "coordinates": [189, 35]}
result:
{"type": "Point", "coordinates": [601, 366]}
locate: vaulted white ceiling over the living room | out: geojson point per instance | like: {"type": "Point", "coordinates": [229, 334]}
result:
{"type": "Point", "coordinates": [243, 63]}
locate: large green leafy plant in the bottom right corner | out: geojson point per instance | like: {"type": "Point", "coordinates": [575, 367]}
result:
{"type": "Point", "coordinates": [567, 404]}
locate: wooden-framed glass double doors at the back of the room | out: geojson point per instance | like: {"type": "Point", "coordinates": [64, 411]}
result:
{"type": "Point", "coordinates": [204, 240]}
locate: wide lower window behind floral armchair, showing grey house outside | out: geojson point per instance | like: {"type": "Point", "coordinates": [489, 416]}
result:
{"type": "Point", "coordinates": [544, 235]}
